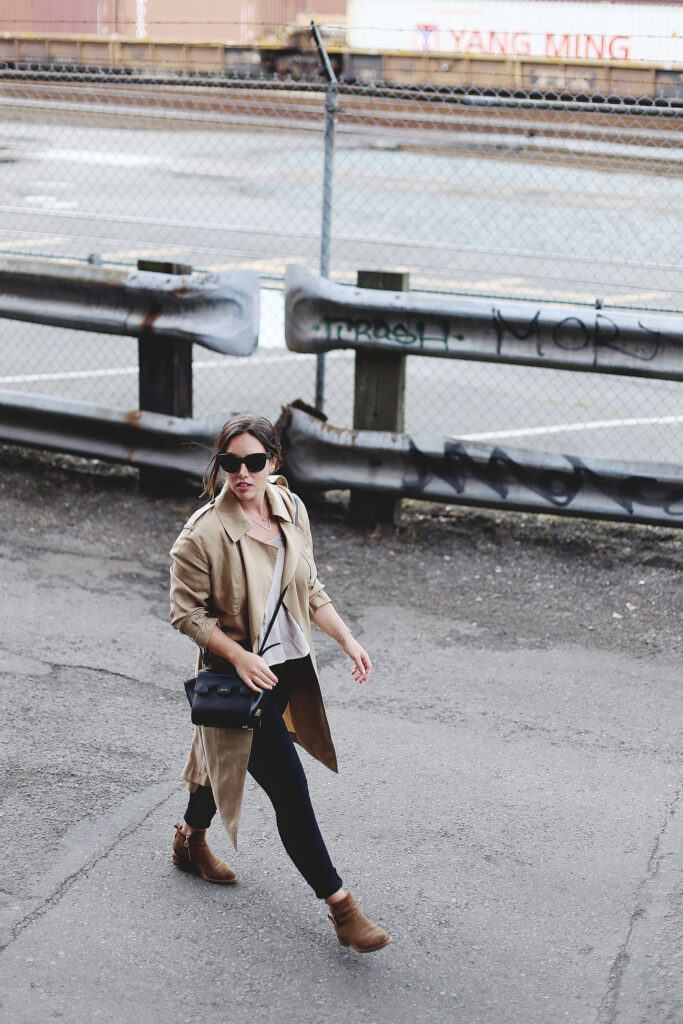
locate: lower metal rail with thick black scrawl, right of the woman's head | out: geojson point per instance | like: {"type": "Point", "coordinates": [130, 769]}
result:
{"type": "Point", "coordinates": [321, 457]}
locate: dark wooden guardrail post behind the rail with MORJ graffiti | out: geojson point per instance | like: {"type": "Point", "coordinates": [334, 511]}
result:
{"type": "Point", "coordinates": [379, 401]}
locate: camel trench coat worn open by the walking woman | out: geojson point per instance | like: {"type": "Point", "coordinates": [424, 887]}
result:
{"type": "Point", "coordinates": [221, 576]}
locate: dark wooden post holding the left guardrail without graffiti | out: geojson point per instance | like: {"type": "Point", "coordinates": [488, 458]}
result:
{"type": "Point", "coordinates": [165, 381]}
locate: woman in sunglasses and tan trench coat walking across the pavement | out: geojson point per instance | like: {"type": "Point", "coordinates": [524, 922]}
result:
{"type": "Point", "coordinates": [231, 564]}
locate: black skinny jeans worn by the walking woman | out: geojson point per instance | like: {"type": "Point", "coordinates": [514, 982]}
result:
{"type": "Point", "coordinates": [275, 764]}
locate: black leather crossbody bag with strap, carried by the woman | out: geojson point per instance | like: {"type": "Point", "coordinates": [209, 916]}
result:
{"type": "Point", "coordinates": [223, 700]}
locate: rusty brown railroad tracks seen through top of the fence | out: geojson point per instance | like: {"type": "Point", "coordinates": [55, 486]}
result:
{"type": "Point", "coordinates": [435, 117]}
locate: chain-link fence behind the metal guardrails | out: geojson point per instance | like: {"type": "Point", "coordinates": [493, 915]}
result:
{"type": "Point", "coordinates": [476, 194]}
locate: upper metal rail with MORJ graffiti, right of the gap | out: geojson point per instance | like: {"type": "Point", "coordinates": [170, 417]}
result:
{"type": "Point", "coordinates": [322, 316]}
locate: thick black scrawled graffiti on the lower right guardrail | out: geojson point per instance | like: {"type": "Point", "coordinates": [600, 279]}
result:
{"type": "Point", "coordinates": [501, 474]}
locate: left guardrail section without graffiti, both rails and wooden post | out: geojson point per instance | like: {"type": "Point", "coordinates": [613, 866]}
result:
{"type": "Point", "coordinates": [168, 309]}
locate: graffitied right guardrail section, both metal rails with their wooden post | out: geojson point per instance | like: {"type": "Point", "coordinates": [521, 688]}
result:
{"type": "Point", "coordinates": [385, 463]}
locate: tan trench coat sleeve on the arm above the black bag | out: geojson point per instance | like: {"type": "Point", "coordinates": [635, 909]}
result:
{"type": "Point", "coordinates": [191, 590]}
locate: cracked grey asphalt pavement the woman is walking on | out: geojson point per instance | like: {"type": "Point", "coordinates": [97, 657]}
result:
{"type": "Point", "coordinates": [509, 798]}
